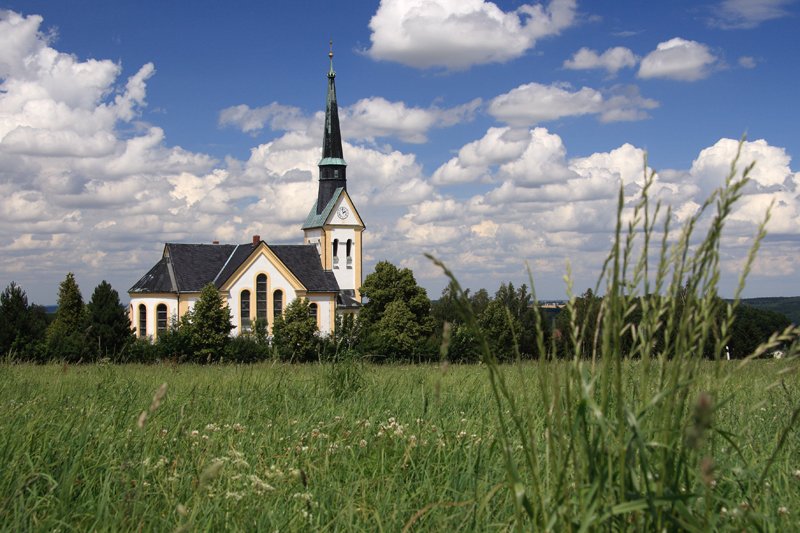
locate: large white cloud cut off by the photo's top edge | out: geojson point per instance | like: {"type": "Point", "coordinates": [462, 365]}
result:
{"type": "Point", "coordinates": [456, 34]}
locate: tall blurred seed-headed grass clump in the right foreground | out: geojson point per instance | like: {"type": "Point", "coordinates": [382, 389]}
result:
{"type": "Point", "coordinates": [642, 451]}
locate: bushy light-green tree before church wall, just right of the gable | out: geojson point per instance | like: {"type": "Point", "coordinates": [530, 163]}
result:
{"type": "Point", "coordinates": [294, 333]}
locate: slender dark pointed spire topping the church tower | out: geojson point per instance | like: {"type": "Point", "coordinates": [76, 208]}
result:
{"type": "Point", "coordinates": [332, 165]}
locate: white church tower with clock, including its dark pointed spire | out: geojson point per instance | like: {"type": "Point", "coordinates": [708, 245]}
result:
{"type": "Point", "coordinates": [333, 224]}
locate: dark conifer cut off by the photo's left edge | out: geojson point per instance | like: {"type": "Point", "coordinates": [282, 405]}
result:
{"type": "Point", "coordinates": [21, 325]}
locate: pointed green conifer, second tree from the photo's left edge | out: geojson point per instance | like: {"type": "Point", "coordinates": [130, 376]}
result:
{"type": "Point", "coordinates": [66, 336]}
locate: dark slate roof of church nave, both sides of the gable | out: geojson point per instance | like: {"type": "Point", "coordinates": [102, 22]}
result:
{"type": "Point", "coordinates": [196, 265]}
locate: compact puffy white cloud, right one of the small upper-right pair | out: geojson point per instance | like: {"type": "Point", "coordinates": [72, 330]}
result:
{"type": "Point", "coordinates": [678, 59]}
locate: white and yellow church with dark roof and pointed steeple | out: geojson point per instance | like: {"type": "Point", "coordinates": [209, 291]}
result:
{"type": "Point", "coordinates": [258, 280]}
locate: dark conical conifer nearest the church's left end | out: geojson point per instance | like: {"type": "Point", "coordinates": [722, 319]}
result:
{"type": "Point", "coordinates": [109, 326]}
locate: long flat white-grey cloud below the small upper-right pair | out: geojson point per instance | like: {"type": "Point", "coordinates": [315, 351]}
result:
{"type": "Point", "coordinates": [534, 103]}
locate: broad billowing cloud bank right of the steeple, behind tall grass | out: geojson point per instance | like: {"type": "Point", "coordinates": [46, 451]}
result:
{"type": "Point", "coordinates": [542, 206]}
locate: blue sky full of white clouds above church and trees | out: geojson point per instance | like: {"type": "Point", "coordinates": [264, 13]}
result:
{"type": "Point", "coordinates": [495, 136]}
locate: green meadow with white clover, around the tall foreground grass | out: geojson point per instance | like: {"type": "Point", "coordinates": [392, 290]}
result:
{"type": "Point", "coordinates": [290, 448]}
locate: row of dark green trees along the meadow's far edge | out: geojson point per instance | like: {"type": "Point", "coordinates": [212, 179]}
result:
{"type": "Point", "coordinates": [398, 322]}
